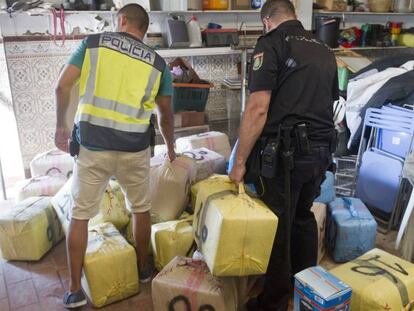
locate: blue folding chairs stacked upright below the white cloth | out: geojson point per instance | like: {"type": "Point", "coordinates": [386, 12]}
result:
{"type": "Point", "coordinates": [381, 159]}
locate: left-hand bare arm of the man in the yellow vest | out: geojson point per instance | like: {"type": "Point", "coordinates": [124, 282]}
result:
{"type": "Point", "coordinates": [67, 79]}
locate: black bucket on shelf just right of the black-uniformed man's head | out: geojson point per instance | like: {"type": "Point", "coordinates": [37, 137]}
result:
{"type": "Point", "coordinates": [327, 30]}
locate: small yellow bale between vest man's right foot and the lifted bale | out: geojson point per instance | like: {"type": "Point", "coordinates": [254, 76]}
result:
{"type": "Point", "coordinates": [171, 239]}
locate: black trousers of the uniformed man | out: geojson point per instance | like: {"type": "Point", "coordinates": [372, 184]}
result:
{"type": "Point", "coordinates": [296, 243]}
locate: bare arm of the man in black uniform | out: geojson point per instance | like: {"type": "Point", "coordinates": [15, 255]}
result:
{"type": "Point", "coordinates": [253, 122]}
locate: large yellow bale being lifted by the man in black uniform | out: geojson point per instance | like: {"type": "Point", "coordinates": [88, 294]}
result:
{"type": "Point", "coordinates": [234, 232]}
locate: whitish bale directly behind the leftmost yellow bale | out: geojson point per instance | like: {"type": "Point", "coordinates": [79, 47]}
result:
{"type": "Point", "coordinates": [40, 186]}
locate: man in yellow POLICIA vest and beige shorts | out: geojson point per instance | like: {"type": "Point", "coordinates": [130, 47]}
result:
{"type": "Point", "coordinates": [121, 82]}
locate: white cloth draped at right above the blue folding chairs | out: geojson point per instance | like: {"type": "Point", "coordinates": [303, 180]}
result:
{"type": "Point", "coordinates": [360, 92]}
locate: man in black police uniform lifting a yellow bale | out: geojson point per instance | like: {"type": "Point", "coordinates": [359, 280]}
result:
{"type": "Point", "coordinates": [289, 117]}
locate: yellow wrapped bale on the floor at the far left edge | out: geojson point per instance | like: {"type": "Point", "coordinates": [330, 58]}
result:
{"type": "Point", "coordinates": [29, 230]}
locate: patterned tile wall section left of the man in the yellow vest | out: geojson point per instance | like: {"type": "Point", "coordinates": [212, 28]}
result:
{"type": "Point", "coordinates": [33, 71]}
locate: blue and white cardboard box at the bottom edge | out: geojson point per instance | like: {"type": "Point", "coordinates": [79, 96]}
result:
{"type": "Point", "coordinates": [318, 290]}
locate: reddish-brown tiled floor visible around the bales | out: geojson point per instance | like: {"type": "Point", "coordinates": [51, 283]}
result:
{"type": "Point", "coordinates": [39, 286]}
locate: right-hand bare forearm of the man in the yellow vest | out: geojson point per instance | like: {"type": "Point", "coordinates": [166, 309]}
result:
{"type": "Point", "coordinates": [166, 120]}
